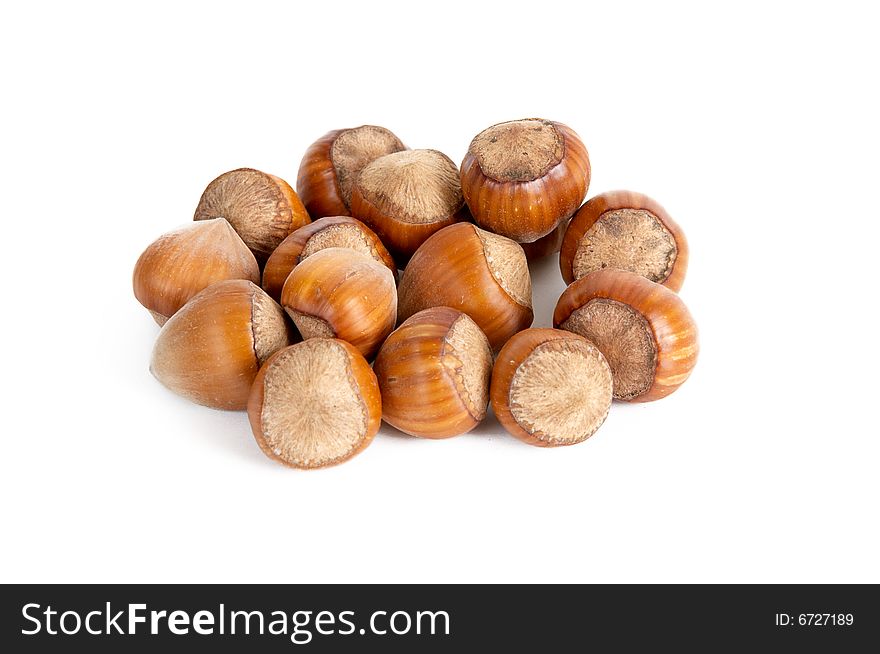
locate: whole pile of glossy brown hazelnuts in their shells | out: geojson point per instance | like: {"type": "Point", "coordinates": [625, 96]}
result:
{"type": "Point", "coordinates": [277, 301]}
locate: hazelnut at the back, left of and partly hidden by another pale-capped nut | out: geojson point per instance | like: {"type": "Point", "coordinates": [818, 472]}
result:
{"type": "Point", "coordinates": [332, 163]}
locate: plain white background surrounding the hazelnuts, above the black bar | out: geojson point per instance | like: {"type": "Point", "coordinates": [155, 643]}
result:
{"type": "Point", "coordinates": [755, 126]}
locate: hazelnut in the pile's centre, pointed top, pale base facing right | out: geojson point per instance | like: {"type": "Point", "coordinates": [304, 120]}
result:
{"type": "Point", "coordinates": [474, 271]}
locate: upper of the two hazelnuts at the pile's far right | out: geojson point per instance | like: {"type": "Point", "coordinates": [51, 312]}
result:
{"type": "Point", "coordinates": [625, 230]}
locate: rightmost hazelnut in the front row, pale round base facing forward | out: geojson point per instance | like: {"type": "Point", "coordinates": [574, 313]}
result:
{"type": "Point", "coordinates": [551, 387]}
